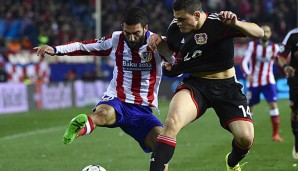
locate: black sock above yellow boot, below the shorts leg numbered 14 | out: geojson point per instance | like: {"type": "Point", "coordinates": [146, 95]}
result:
{"type": "Point", "coordinates": [237, 154]}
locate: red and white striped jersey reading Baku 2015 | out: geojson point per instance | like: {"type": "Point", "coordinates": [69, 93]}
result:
{"type": "Point", "coordinates": [137, 73]}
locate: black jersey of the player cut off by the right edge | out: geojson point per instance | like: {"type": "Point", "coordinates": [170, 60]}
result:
{"type": "Point", "coordinates": [290, 45]}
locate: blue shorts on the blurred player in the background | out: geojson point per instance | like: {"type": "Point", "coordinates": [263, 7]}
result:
{"type": "Point", "coordinates": [269, 92]}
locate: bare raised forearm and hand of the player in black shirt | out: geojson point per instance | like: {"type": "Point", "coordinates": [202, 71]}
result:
{"type": "Point", "coordinates": [248, 28]}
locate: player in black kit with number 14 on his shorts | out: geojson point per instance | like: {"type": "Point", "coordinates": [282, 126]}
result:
{"type": "Point", "coordinates": [203, 46]}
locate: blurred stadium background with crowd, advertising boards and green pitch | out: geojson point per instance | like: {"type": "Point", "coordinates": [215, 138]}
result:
{"type": "Point", "coordinates": [37, 98]}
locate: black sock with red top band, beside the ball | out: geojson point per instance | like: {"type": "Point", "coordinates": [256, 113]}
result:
{"type": "Point", "coordinates": [163, 151]}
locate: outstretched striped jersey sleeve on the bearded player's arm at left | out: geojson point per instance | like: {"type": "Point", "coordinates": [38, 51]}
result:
{"type": "Point", "coordinates": [96, 47]}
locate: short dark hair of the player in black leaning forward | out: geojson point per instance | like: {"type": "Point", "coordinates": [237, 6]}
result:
{"type": "Point", "coordinates": [190, 6]}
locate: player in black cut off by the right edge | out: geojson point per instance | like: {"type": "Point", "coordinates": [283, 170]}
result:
{"type": "Point", "coordinates": [290, 45]}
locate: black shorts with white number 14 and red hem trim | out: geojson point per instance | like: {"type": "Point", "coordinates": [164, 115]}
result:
{"type": "Point", "coordinates": [223, 95]}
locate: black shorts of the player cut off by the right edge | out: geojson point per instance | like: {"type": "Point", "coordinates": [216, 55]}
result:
{"type": "Point", "coordinates": [293, 85]}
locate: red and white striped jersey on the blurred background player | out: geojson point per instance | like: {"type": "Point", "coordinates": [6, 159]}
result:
{"type": "Point", "coordinates": [258, 62]}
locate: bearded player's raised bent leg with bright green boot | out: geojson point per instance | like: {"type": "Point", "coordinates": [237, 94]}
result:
{"type": "Point", "coordinates": [82, 124]}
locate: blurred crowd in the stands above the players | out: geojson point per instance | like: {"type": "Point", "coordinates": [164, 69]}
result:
{"type": "Point", "coordinates": [28, 23]}
